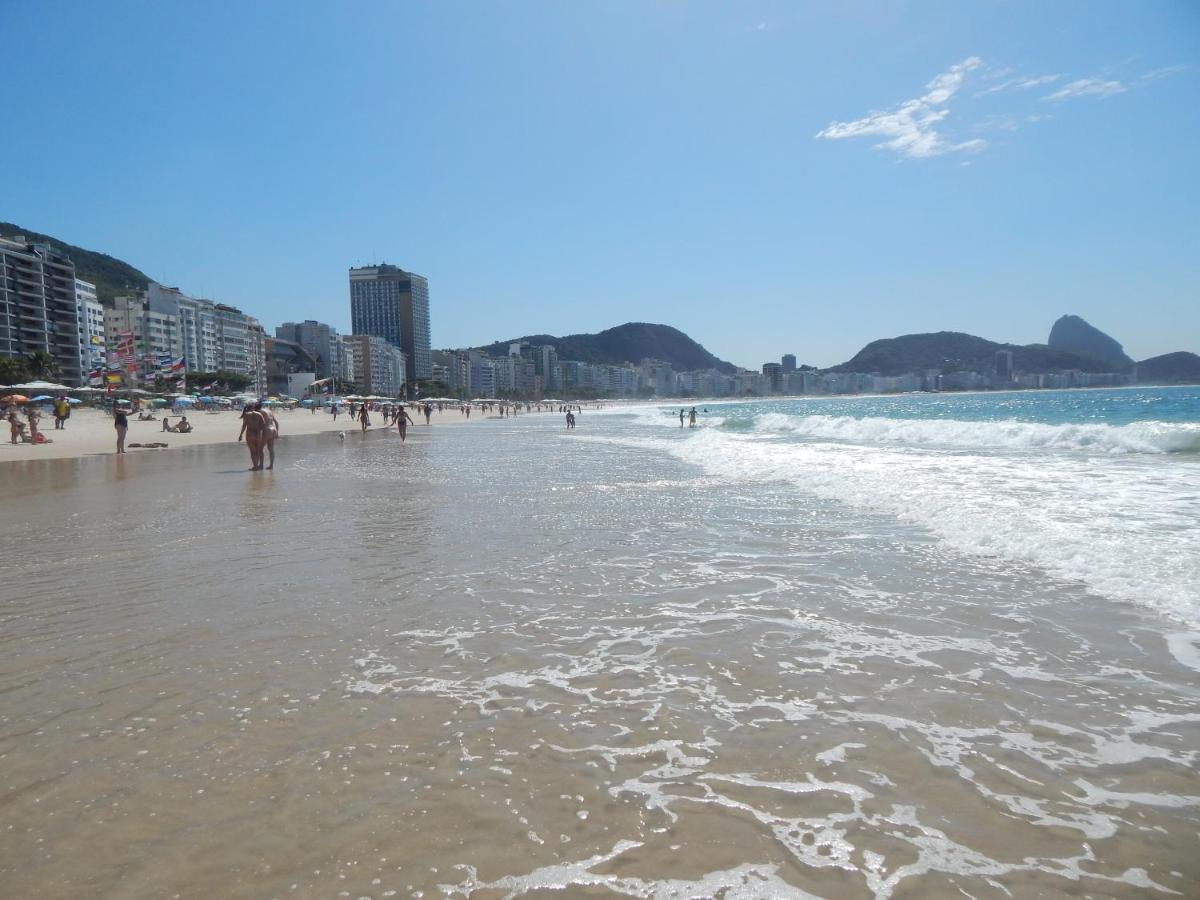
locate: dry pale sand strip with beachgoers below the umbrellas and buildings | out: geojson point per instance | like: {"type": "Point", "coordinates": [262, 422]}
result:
{"type": "Point", "coordinates": [89, 433]}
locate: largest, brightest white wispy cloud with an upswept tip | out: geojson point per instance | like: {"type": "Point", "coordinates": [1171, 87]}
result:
{"type": "Point", "coordinates": [911, 129]}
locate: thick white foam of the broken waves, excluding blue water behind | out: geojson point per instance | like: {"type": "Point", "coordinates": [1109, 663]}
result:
{"type": "Point", "coordinates": [1124, 524]}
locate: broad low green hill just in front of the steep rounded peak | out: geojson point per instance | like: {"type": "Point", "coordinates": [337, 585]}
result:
{"type": "Point", "coordinates": [951, 351]}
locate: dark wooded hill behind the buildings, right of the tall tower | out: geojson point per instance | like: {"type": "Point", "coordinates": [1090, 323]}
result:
{"type": "Point", "coordinates": [627, 344]}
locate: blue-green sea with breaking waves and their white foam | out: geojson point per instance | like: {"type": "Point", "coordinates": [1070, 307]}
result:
{"type": "Point", "coordinates": [1096, 487]}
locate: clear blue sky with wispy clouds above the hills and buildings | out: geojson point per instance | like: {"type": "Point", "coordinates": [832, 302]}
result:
{"type": "Point", "coordinates": [767, 177]}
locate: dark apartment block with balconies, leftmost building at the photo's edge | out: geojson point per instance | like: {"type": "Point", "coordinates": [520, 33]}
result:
{"type": "Point", "coordinates": [39, 307]}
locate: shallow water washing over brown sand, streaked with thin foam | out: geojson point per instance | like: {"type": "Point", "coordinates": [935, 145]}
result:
{"type": "Point", "coordinates": [503, 661]}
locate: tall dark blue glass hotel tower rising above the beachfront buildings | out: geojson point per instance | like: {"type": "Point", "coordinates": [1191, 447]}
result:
{"type": "Point", "coordinates": [392, 304]}
